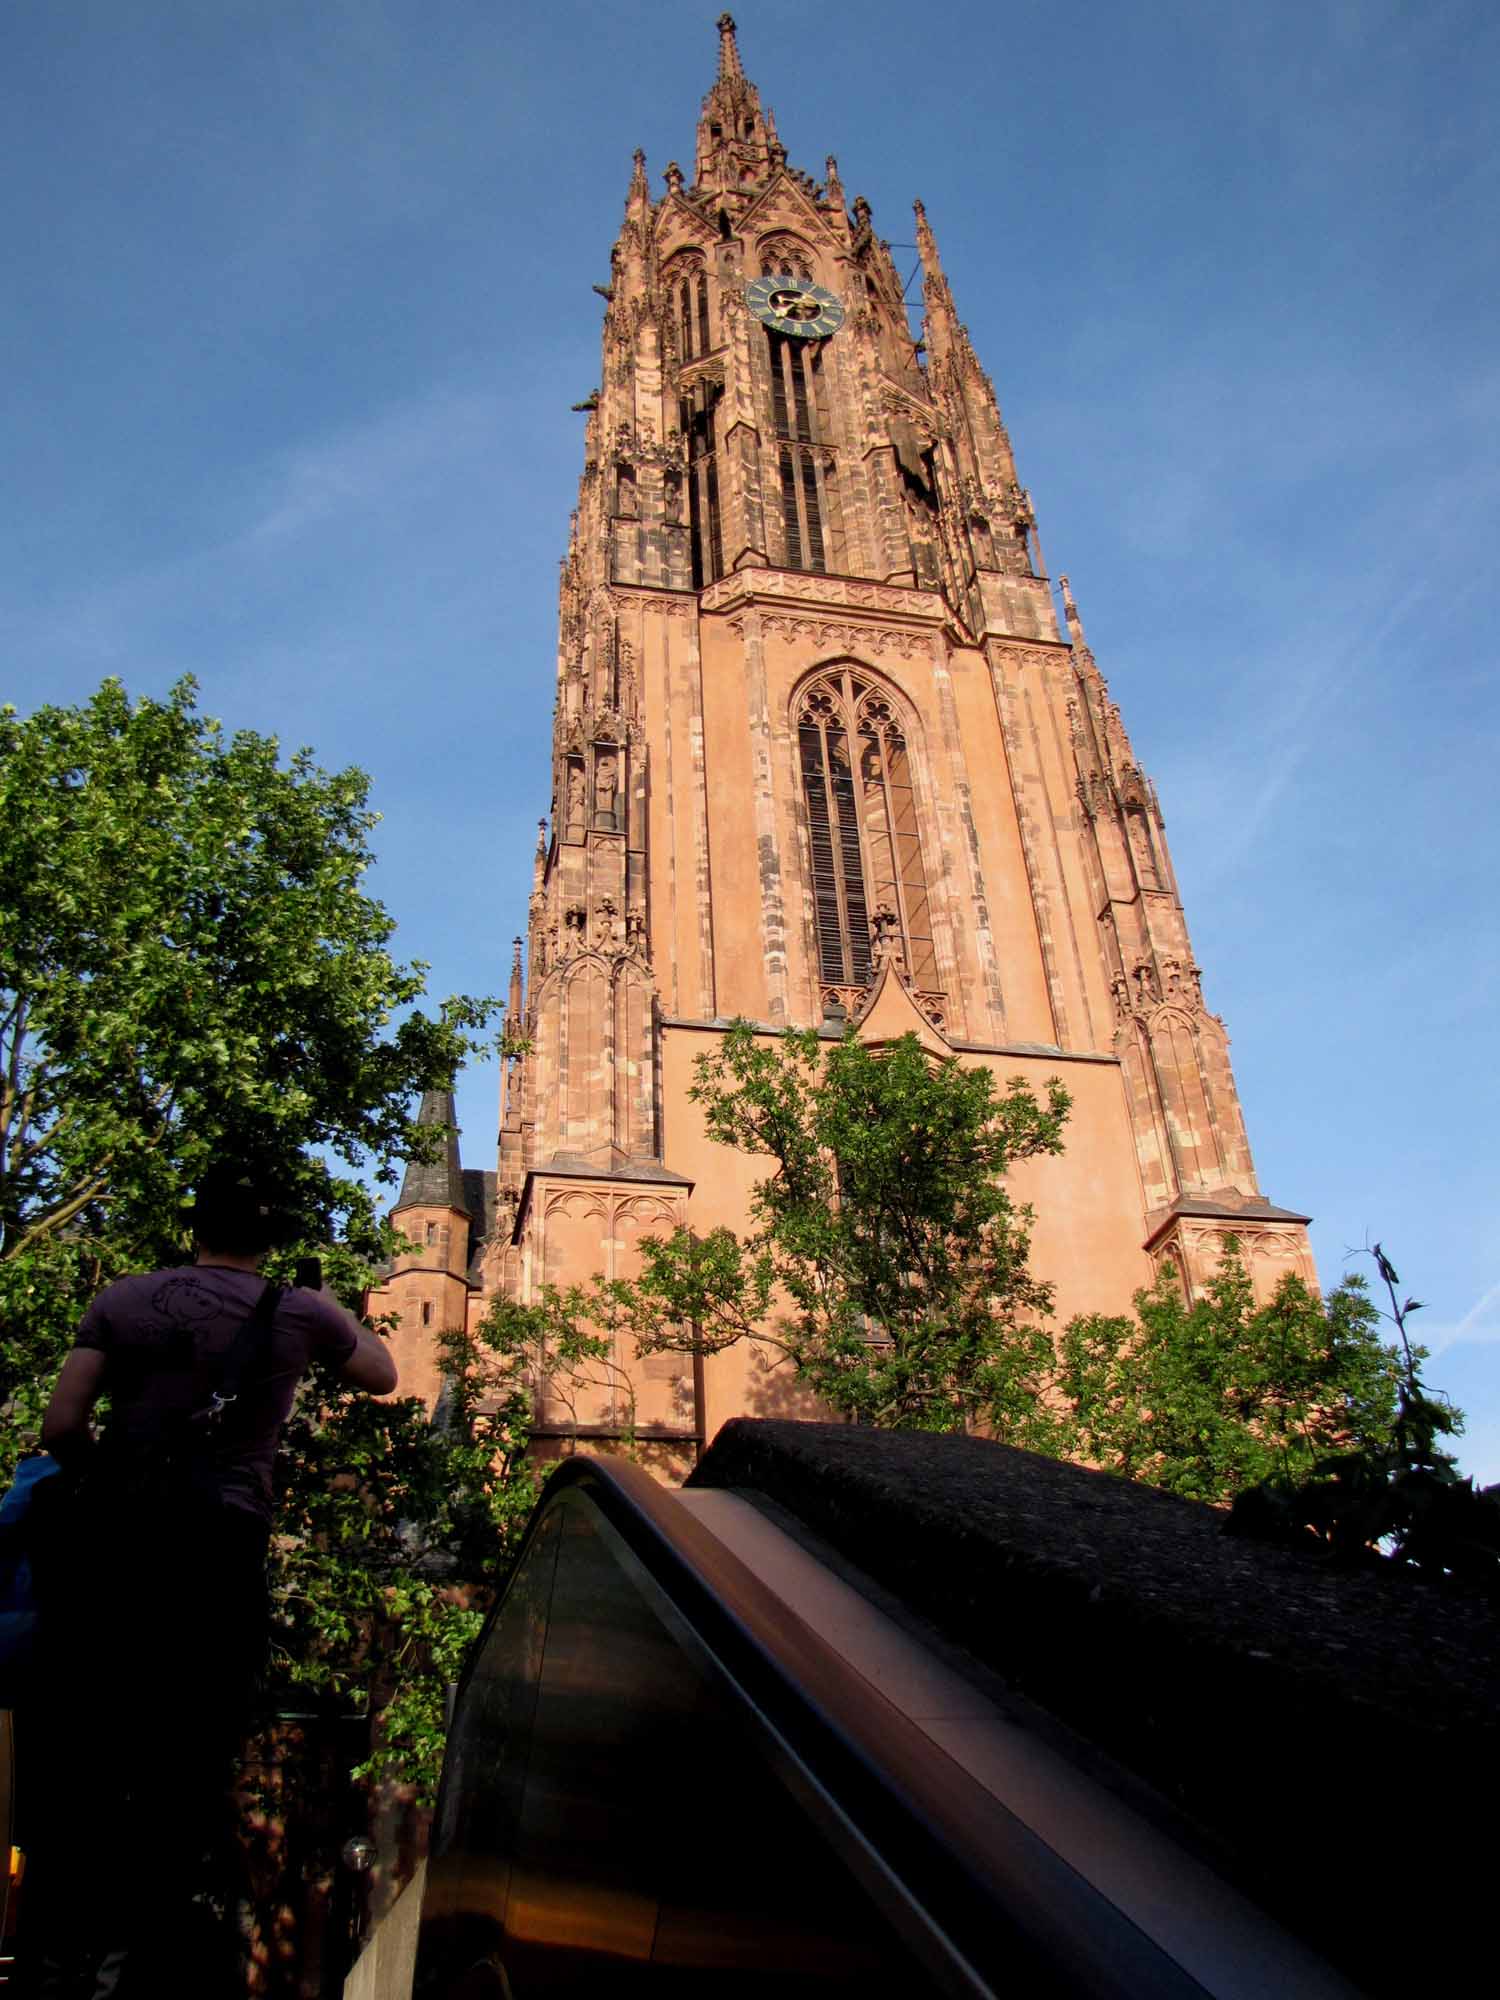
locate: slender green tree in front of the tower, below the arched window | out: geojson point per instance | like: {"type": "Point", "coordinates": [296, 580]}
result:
{"type": "Point", "coordinates": [889, 1265]}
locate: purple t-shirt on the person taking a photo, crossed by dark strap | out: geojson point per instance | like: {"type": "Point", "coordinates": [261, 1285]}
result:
{"type": "Point", "coordinates": [167, 1337]}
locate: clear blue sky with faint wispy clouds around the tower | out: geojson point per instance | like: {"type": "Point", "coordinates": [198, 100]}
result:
{"type": "Point", "coordinates": [299, 299]}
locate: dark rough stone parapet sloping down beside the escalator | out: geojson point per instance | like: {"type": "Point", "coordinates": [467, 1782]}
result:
{"type": "Point", "coordinates": [1315, 1725]}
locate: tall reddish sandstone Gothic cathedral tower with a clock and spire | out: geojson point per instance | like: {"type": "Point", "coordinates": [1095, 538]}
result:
{"type": "Point", "coordinates": [823, 753]}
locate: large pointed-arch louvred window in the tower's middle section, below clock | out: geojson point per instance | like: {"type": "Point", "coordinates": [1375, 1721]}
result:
{"type": "Point", "coordinates": [869, 883]}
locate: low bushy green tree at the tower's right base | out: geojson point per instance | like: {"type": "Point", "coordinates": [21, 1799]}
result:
{"type": "Point", "coordinates": [1225, 1393]}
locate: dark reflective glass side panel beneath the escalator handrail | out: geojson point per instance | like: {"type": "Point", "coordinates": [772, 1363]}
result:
{"type": "Point", "coordinates": [613, 1821]}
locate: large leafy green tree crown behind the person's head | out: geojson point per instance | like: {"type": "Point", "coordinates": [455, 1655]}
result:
{"type": "Point", "coordinates": [189, 967]}
